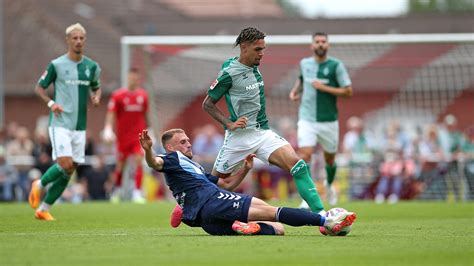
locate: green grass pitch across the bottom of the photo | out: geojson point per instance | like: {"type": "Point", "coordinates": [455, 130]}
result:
{"type": "Point", "coordinates": [412, 233]}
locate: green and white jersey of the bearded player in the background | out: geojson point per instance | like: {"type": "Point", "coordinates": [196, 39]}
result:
{"type": "Point", "coordinates": [318, 106]}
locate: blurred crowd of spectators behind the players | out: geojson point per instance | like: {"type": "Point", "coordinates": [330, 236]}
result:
{"type": "Point", "coordinates": [434, 161]}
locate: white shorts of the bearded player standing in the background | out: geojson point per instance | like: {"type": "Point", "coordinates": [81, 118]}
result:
{"type": "Point", "coordinates": [325, 133]}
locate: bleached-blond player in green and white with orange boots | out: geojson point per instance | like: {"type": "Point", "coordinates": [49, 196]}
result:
{"type": "Point", "coordinates": [76, 78]}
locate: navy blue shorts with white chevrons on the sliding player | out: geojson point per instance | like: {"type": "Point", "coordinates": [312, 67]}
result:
{"type": "Point", "coordinates": [221, 210]}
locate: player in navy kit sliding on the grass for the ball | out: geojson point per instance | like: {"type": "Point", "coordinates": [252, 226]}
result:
{"type": "Point", "coordinates": [219, 211]}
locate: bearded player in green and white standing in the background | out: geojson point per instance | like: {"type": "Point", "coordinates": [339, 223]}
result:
{"type": "Point", "coordinates": [322, 79]}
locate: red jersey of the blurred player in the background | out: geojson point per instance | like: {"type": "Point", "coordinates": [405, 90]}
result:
{"type": "Point", "coordinates": [130, 108]}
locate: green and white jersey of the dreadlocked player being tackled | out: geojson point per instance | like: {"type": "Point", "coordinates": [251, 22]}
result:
{"type": "Point", "coordinates": [244, 92]}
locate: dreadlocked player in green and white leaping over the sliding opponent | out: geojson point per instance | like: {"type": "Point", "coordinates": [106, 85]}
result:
{"type": "Point", "coordinates": [247, 130]}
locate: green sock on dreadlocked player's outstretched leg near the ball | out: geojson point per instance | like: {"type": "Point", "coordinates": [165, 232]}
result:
{"type": "Point", "coordinates": [305, 185]}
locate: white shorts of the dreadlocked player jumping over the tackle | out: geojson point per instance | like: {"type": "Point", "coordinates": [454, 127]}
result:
{"type": "Point", "coordinates": [238, 144]}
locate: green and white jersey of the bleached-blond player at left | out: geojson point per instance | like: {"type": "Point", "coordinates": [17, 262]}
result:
{"type": "Point", "coordinates": [72, 82]}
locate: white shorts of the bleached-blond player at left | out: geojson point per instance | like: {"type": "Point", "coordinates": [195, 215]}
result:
{"type": "Point", "coordinates": [68, 143]}
